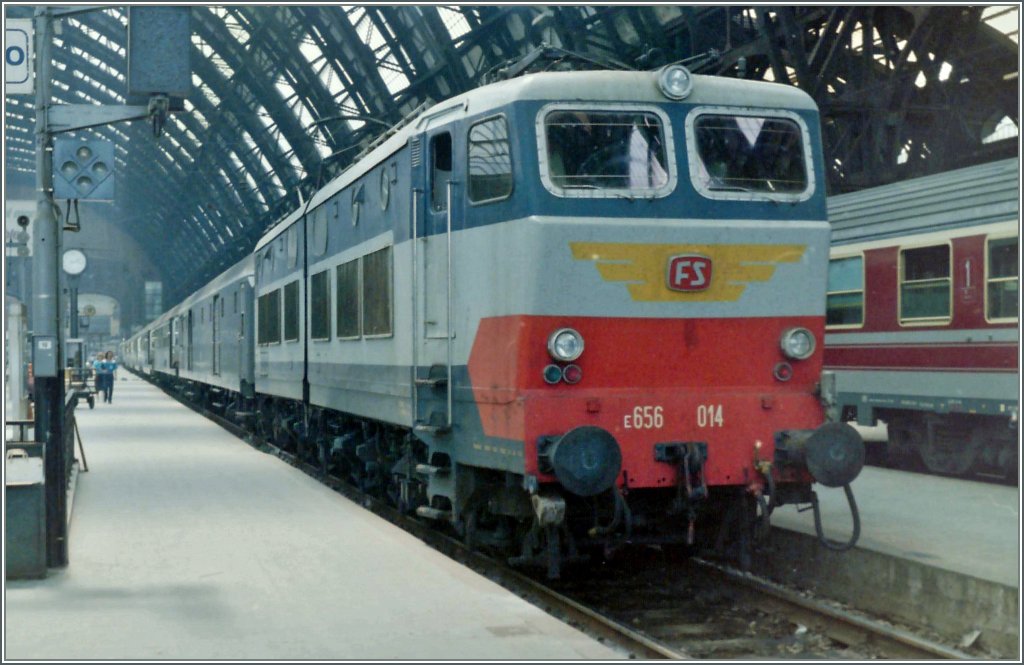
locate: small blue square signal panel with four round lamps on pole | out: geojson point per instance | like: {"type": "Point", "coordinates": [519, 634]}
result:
{"type": "Point", "coordinates": [83, 170]}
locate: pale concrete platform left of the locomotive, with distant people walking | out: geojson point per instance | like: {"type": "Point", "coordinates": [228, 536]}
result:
{"type": "Point", "coordinates": [187, 544]}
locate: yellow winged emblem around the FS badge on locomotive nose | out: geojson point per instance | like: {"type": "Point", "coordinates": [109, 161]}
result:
{"type": "Point", "coordinates": [644, 268]}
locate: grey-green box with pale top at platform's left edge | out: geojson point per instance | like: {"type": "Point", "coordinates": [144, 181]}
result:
{"type": "Point", "coordinates": [26, 506]}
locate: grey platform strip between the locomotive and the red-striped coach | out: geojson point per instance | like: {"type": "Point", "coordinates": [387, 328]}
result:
{"type": "Point", "coordinates": [965, 527]}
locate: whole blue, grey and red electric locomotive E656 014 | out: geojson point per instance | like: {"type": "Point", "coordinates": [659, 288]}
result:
{"type": "Point", "coordinates": [566, 312]}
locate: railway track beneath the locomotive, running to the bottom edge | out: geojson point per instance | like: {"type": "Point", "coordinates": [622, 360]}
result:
{"type": "Point", "coordinates": [654, 608]}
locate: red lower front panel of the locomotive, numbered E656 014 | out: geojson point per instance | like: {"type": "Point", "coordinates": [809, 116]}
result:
{"type": "Point", "coordinates": [651, 382]}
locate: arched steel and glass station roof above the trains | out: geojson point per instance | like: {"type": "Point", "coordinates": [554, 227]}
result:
{"type": "Point", "coordinates": [284, 98]}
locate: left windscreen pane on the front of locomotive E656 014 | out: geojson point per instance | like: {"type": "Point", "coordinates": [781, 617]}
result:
{"type": "Point", "coordinates": [591, 150]}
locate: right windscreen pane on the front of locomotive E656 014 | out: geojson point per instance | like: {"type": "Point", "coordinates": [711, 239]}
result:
{"type": "Point", "coordinates": [749, 154]}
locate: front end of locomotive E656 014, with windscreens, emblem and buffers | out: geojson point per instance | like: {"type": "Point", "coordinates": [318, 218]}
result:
{"type": "Point", "coordinates": [667, 382]}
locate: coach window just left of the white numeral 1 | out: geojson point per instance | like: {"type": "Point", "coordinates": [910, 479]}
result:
{"type": "Point", "coordinates": [925, 289]}
